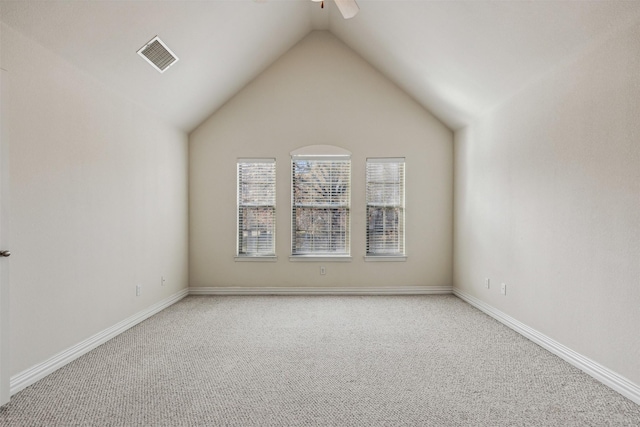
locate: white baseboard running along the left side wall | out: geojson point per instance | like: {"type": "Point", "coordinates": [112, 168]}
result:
{"type": "Point", "coordinates": [41, 370]}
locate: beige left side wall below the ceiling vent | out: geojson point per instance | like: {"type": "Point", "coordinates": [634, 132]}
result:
{"type": "Point", "coordinates": [98, 204]}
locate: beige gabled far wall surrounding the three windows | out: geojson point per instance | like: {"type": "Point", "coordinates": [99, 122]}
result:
{"type": "Point", "coordinates": [320, 92]}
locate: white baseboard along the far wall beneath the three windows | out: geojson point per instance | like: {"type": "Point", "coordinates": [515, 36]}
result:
{"type": "Point", "coordinates": [388, 290]}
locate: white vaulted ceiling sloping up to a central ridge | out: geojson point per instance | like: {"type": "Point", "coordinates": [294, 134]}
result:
{"type": "Point", "coordinates": [456, 58]}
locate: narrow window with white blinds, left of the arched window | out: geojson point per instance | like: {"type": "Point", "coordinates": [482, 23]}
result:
{"type": "Point", "coordinates": [256, 207]}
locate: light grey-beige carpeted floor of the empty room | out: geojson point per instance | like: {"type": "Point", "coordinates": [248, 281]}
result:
{"type": "Point", "coordinates": [319, 361]}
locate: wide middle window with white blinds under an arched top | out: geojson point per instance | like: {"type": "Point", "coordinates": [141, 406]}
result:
{"type": "Point", "coordinates": [320, 205]}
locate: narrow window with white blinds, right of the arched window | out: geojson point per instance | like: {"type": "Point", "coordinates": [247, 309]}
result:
{"type": "Point", "coordinates": [385, 207]}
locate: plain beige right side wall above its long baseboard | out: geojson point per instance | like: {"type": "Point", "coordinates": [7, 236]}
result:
{"type": "Point", "coordinates": [547, 200]}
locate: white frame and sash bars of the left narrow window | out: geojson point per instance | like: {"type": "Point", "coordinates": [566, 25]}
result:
{"type": "Point", "coordinates": [256, 256]}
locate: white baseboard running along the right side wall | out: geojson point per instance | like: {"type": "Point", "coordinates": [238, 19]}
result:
{"type": "Point", "coordinates": [606, 376]}
